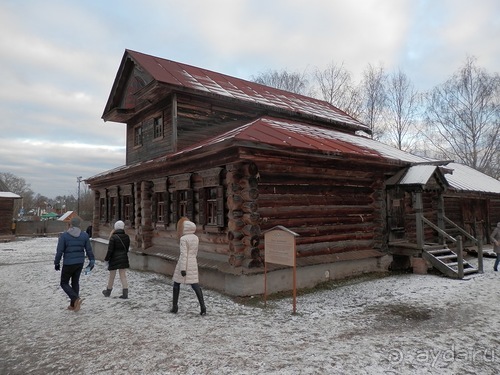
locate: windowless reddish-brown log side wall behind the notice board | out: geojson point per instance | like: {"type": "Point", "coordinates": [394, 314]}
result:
{"type": "Point", "coordinates": [334, 209]}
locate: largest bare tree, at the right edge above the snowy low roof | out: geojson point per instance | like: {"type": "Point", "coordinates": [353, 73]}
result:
{"type": "Point", "coordinates": [465, 113]}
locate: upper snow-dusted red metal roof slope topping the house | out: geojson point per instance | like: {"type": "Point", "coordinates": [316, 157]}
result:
{"type": "Point", "coordinates": [203, 80]}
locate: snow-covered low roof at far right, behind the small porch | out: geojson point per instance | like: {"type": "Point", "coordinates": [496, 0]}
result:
{"type": "Point", "coordinates": [465, 178]}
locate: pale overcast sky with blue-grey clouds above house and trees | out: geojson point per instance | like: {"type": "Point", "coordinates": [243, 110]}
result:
{"type": "Point", "coordinates": [59, 60]}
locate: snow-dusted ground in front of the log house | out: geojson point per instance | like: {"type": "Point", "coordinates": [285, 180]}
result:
{"type": "Point", "coordinates": [400, 324]}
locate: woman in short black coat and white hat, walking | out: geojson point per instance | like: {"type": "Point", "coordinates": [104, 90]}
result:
{"type": "Point", "coordinates": [117, 256]}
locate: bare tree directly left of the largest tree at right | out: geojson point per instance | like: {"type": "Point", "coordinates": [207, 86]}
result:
{"type": "Point", "coordinates": [402, 108]}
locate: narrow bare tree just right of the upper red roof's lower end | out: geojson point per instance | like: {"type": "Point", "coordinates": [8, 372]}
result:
{"type": "Point", "coordinates": [373, 98]}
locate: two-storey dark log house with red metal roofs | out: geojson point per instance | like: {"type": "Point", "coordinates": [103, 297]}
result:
{"type": "Point", "coordinates": [239, 158]}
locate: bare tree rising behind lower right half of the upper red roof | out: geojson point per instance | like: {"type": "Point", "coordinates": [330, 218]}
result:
{"type": "Point", "coordinates": [336, 87]}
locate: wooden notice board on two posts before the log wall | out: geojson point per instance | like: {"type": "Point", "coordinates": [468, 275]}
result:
{"type": "Point", "coordinates": [280, 248]}
